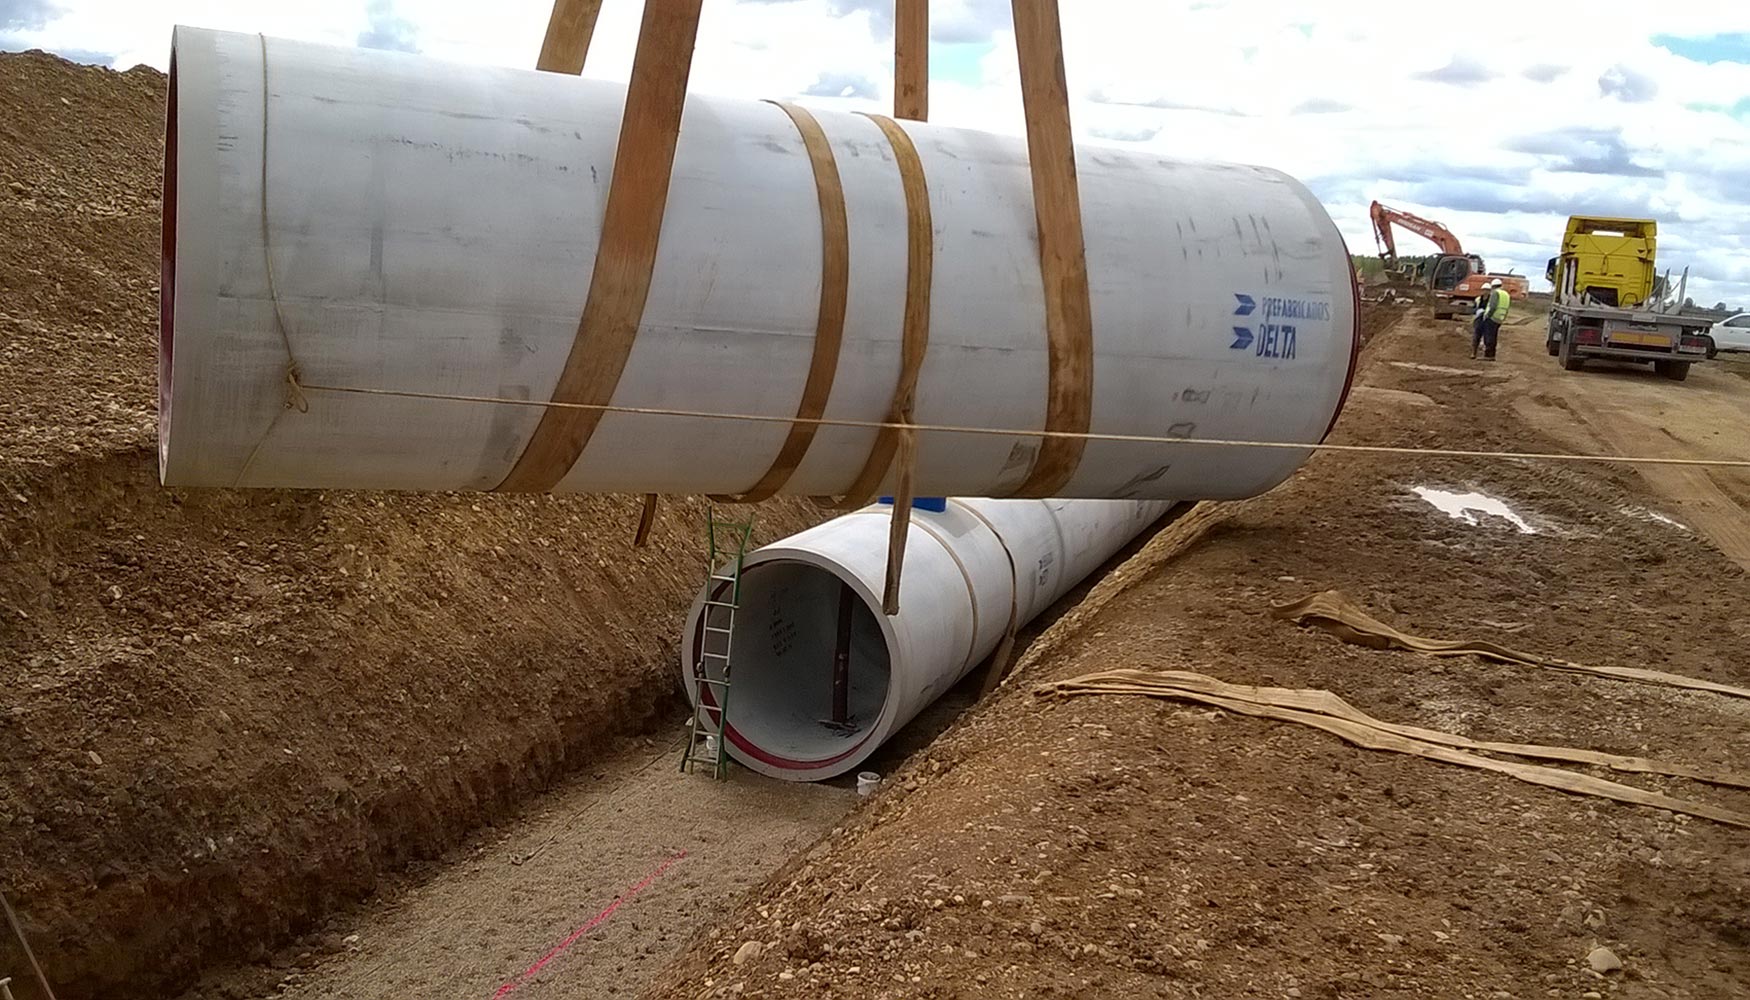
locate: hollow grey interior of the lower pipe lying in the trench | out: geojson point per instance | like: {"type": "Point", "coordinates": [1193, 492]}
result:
{"type": "Point", "coordinates": [781, 689]}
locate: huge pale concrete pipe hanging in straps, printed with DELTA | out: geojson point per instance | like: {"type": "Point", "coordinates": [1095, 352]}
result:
{"type": "Point", "coordinates": [433, 230]}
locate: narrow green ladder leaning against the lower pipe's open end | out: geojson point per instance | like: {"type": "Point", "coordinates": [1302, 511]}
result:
{"type": "Point", "coordinates": [717, 621]}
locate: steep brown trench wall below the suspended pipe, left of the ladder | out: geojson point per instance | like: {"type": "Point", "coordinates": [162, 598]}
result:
{"type": "Point", "coordinates": [235, 715]}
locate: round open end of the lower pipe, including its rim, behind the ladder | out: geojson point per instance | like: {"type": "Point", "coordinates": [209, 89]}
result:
{"type": "Point", "coordinates": [792, 623]}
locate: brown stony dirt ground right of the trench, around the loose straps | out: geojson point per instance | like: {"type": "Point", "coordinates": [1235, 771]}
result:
{"type": "Point", "coordinates": [1117, 847]}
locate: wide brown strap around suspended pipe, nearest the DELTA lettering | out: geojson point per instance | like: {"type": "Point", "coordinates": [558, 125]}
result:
{"type": "Point", "coordinates": [1063, 257]}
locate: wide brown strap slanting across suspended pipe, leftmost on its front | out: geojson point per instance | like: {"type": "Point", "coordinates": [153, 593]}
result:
{"type": "Point", "coordinates": [638, 197]}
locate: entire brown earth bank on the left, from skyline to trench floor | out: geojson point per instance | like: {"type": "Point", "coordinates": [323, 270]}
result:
{"type": "Point", "coordinates": [230, 714]}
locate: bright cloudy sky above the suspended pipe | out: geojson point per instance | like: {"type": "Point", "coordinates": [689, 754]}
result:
{"type": "Point", "coordinates": [1499, 127]}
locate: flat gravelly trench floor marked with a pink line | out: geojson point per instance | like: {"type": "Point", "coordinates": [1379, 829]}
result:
{"type": "Point", "coordinates": [680, 850]}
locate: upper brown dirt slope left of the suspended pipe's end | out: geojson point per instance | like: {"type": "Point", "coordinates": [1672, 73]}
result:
{"type": "Point", "coordinates": [80, 153]}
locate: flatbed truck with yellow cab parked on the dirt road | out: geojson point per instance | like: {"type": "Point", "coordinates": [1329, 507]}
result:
{"type": "Point", "coordinates": [1606, 304]}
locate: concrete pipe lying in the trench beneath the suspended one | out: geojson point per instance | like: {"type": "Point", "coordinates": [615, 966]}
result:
{"type": "Point", "coordinates": [820, 679]}
